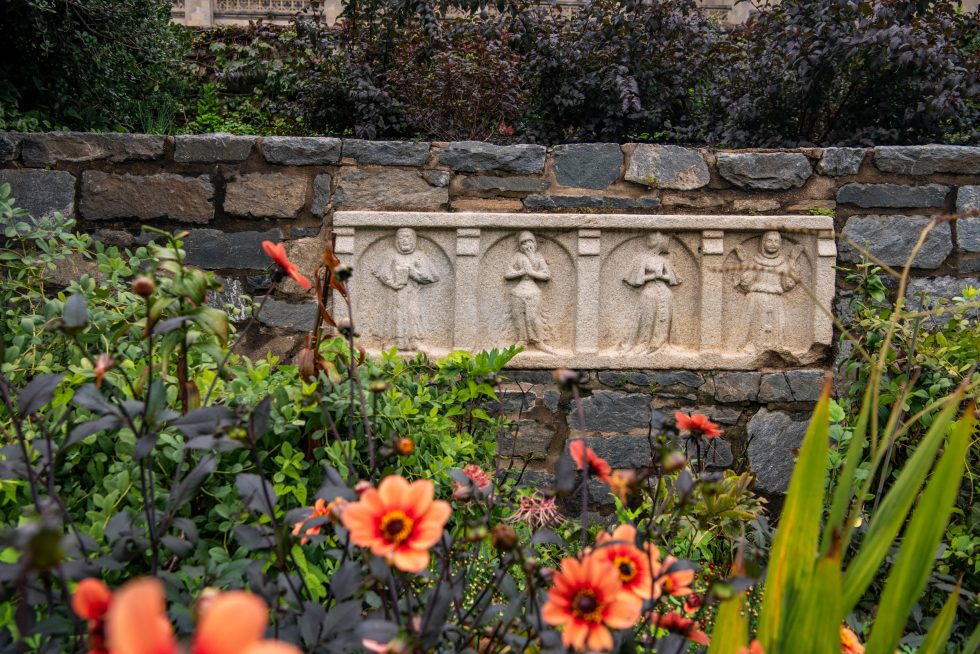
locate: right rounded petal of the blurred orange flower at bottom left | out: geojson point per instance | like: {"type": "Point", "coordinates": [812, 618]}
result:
{"type": "Point", "coordinates": [233, 622]}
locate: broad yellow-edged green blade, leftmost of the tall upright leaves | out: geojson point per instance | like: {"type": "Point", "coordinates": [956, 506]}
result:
{"type": "Point", "coordinates": [794, 549]}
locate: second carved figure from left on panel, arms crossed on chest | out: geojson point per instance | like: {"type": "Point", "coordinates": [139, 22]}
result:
{"type": "Point", "coordinates": [525, 298]}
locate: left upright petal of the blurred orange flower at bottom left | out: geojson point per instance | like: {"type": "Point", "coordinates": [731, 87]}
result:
{"type": "Point", "coordinates": [137, 620]}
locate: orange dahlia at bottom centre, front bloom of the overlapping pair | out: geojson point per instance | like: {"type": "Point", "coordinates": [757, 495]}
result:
{"type": "Point", "coordinates": [587, 600]}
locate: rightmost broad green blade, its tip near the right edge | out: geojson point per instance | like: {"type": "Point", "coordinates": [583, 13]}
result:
{"type": "Point", "coordinates": [916, 557]}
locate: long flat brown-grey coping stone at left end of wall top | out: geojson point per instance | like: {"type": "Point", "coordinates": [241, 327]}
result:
{"type": "Point", "coordinates": [46, 149]}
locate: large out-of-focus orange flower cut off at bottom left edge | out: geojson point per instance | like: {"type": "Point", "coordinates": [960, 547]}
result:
{"type": "Point", "coordinates": [137, 623]}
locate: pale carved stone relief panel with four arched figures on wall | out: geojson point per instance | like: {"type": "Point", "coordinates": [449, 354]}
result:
{"type": "Point", "coordinates": [593, 291]}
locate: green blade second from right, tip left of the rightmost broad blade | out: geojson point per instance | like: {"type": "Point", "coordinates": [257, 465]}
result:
{"type": "Point", "coordinates": [890, 516]}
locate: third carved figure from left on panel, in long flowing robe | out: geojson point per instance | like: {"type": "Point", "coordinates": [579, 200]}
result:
{"type": "Point", "coordinates": [652, 273]}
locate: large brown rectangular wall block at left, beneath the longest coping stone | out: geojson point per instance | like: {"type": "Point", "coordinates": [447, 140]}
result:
{"type": "Point", "coordinates": [166, 196]}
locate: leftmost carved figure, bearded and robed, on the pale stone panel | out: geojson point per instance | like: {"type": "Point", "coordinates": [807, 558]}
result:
{"type": "Point", "coordinates": [405, 272]}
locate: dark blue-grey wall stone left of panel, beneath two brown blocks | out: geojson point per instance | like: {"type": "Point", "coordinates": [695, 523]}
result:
{"type": "Point", "coordinates": [217, 249]}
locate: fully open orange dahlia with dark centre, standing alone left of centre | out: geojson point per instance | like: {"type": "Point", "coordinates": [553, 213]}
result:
{"type": "Point", "coordinates": [398, 521]}
